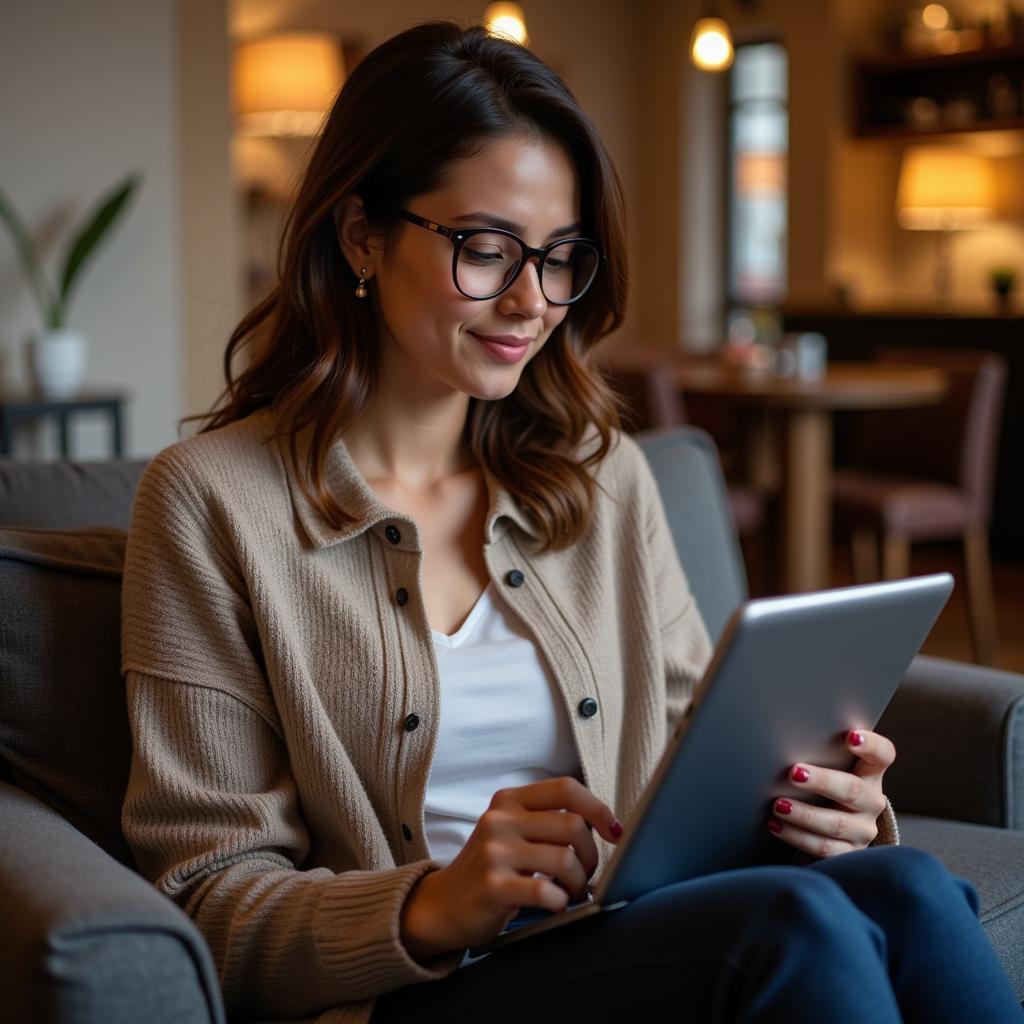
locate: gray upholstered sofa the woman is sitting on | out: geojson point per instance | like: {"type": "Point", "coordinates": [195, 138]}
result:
{"type": "Point", "coordinates": [87, 940]}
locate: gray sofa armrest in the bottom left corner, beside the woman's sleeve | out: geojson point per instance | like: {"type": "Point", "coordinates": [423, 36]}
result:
{"type": "Point", "coordinates": [87, 940]}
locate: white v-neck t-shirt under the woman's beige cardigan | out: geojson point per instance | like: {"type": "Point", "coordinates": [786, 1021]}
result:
{"type": "Point", "coordinates": [502, 722]}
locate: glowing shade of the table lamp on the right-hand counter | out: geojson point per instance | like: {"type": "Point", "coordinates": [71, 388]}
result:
{"type": "Point", "coordinates": [945, 190]}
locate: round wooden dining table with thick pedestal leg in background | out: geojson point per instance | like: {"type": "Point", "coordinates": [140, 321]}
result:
{"type": "Point", "coordinates": [790, 437]}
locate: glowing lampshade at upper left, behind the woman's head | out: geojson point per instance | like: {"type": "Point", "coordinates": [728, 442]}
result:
{"type": "Point", "coordinates": [285, 84]}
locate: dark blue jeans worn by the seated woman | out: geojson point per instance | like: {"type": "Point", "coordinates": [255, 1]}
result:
{"type": "Point", "coordinates": [882, 935]}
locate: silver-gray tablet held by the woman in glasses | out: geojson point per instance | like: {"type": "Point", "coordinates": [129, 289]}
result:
{"type": "Point", "coordinates": [790, 678]}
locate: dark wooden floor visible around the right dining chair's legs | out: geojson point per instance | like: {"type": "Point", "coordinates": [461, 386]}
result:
{"type": "Point", "coordinates": [951, 638]}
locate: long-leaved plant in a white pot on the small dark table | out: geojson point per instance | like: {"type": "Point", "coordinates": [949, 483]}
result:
{"type": "Point", "coordinates": [58, 357]}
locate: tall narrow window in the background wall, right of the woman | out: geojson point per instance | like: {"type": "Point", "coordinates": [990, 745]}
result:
{"type": "Point", "coordinates": [759, 143]}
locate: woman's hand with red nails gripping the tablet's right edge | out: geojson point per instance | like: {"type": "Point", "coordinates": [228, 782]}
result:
{"type": "Point", "coordinates": [826, 832]}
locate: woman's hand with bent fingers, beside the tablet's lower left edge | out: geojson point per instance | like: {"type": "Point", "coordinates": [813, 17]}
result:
{"type": "Point", "coordinates": [543, 827]}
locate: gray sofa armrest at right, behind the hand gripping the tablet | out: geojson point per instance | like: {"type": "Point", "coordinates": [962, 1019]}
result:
{"type": "Point", "coordinates": [959, 732]}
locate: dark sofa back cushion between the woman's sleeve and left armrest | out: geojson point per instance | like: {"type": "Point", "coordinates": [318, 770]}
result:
{"type": "Point", "coordinates": [64, 726]}
